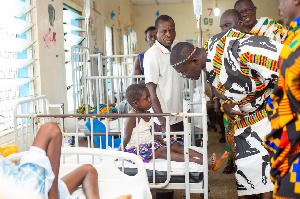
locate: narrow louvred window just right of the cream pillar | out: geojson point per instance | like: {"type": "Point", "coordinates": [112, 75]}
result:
{"type": "Point", "coordinates": [72, 31]}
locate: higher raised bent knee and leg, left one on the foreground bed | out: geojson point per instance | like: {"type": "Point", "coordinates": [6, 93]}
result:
{"type": "Point", "coordinates": [49, 138]}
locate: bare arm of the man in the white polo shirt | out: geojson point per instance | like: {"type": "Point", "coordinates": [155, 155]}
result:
{"type": "Point", "coordinates": [156, 104]}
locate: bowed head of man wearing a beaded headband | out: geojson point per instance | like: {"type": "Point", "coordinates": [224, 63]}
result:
{"type": "Point", "coordinates": [188, 60]}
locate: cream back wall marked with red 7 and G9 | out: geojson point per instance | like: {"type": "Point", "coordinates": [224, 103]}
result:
{"type": "Point", "coordinates": [185, 21]}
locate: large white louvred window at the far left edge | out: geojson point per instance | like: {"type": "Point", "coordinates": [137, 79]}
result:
{"type": "Point", "coordinates": [16, 69]}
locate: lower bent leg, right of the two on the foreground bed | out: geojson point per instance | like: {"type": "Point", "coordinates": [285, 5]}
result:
{"type": "Point", "coordinates": [86, 175]}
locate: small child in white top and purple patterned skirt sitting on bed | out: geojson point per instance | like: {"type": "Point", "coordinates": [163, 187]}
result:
{"type": "Point", "coordinates": [138, 97]}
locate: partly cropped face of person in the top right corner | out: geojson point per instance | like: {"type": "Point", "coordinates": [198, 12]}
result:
{"type": "Point", "coordinates": [289, 10]}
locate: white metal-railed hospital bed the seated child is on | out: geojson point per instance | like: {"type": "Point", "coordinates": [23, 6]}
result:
{"type": "Point", "coordinates": [174, 177]}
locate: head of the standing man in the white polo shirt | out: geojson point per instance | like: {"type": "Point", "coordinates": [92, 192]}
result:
{"type": "Point", "coordinates": [165, 28]}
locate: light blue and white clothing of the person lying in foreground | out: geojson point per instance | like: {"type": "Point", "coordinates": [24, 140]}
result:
{"type": "Point", "coordinates": [34, 174]}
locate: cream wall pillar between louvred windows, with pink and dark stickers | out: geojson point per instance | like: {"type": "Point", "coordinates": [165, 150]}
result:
{"type": "Point", "coordinates": [49, 66]}
